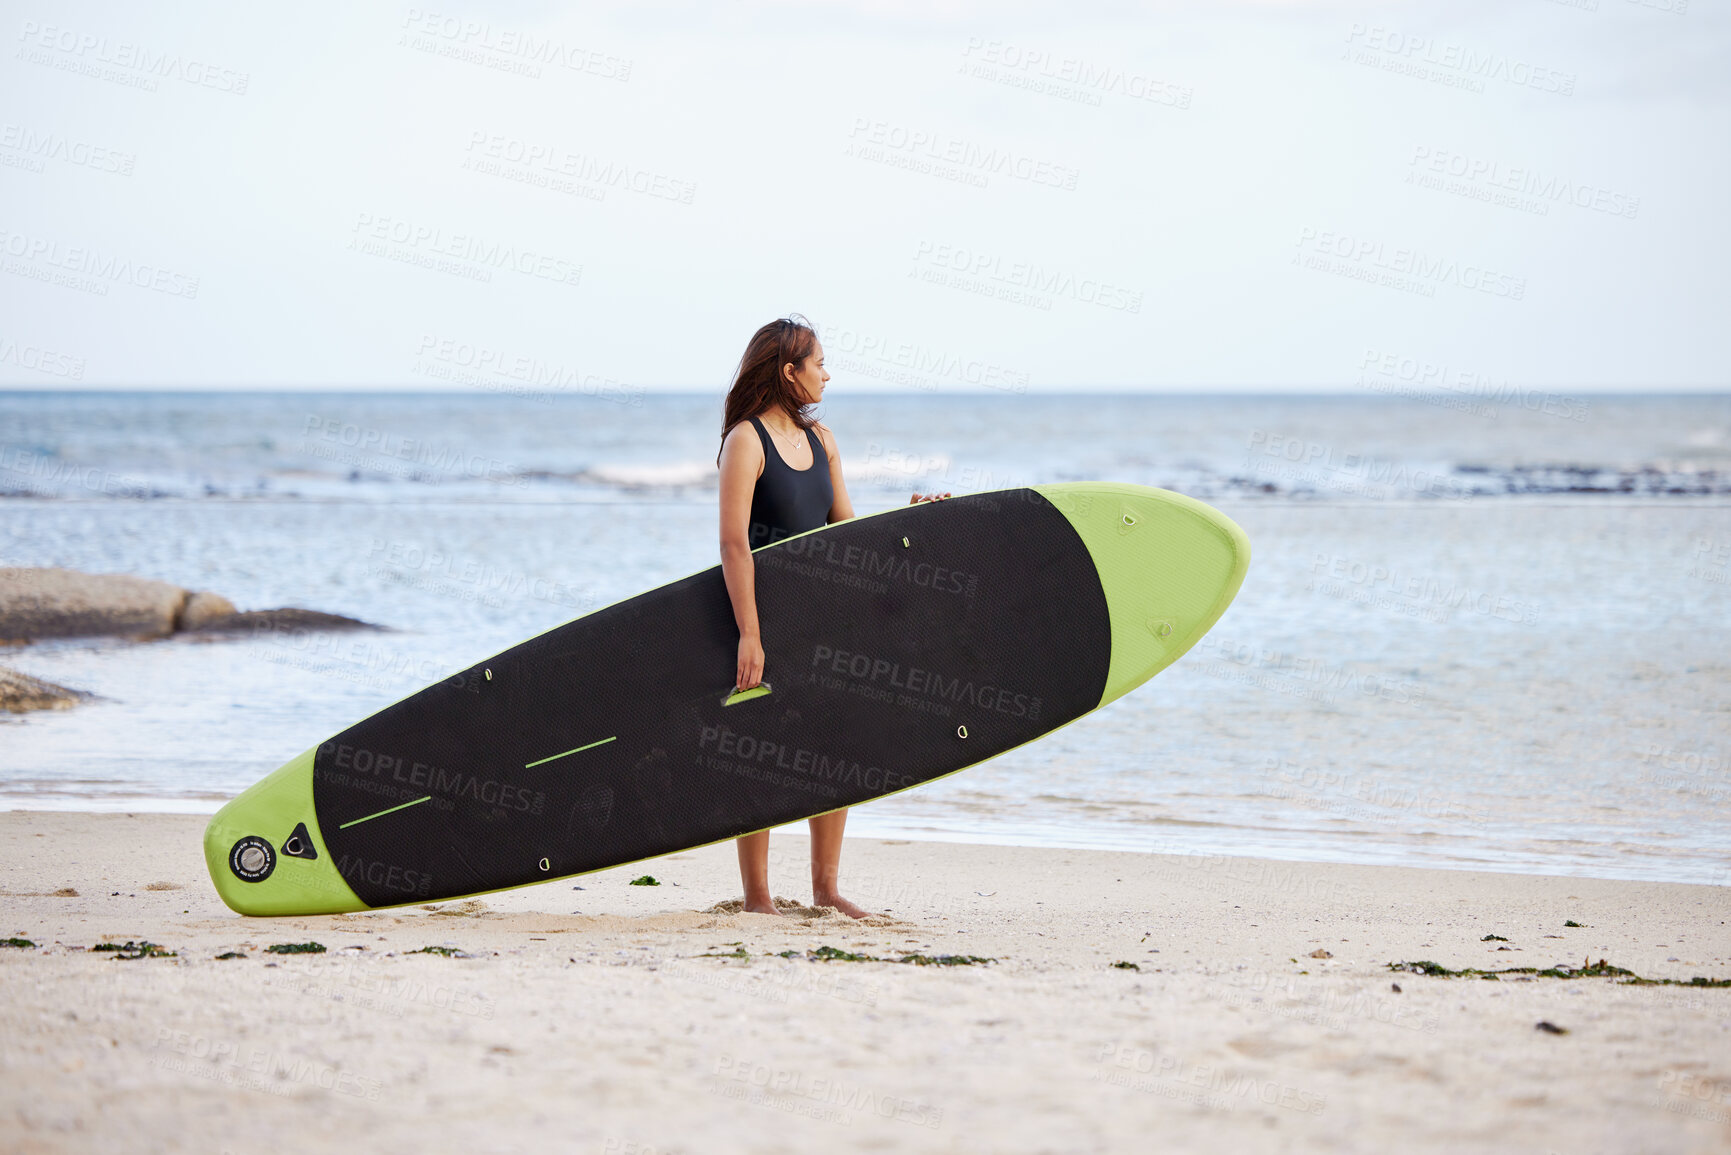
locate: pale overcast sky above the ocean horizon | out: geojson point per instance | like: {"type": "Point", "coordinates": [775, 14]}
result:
{"type": "Point", "coordinates": [1174, 197]}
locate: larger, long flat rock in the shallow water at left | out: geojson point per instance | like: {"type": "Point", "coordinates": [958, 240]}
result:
{"type": "Point", "coordinates": [39, 603]}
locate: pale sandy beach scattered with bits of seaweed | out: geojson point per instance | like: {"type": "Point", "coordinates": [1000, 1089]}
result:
{"type": "Point", "coordinates": [1135, 1002]}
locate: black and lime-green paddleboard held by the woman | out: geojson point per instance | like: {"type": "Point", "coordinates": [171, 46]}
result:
{"type": "Point", "coordinates": [901, 648]}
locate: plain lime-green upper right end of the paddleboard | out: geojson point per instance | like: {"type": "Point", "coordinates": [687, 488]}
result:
{"type": "Point", "coordinates": [1169, 565]}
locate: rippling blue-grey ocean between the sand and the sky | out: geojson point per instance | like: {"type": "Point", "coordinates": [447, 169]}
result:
{"type": "Point", "coordinates": [1483, 629]}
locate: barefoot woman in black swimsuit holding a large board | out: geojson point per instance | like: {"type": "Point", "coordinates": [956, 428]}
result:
{"type": "Point", "coordinates": [782, 475]}
